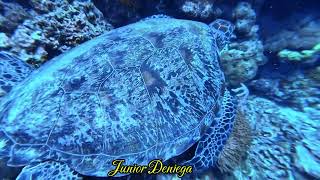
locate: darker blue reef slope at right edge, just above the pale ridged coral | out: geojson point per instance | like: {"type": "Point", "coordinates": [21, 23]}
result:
{"type": "Point", "coordinates": [298, 90]}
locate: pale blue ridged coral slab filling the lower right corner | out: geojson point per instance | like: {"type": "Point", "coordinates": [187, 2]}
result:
{"type": "Point", "coordinates": [285, 142]}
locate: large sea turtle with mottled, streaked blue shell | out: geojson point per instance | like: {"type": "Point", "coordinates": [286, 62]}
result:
{"type": "Point", "coordinates": [148, 90]}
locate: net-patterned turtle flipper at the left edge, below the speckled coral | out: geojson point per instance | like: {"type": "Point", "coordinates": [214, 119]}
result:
{"type": "Point", "coordinates": [12, 71]}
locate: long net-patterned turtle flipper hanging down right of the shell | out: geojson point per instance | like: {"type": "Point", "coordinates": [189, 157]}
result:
{"type": "Point", "coordinates": [212, 143]}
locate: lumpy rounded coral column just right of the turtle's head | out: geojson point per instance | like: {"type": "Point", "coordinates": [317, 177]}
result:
{"type": "Point", "coordinates": [240, 60]}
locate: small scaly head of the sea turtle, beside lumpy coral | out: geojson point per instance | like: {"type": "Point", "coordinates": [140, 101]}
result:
{"type": "Point", "coordinates": [223, 31]}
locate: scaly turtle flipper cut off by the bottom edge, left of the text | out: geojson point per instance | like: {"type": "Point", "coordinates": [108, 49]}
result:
{"type": "Point", "coordinates": [48, 170]}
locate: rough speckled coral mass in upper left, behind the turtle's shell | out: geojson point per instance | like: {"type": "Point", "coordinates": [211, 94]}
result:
{"type": "Point", "coordinates": [57, 26]}
